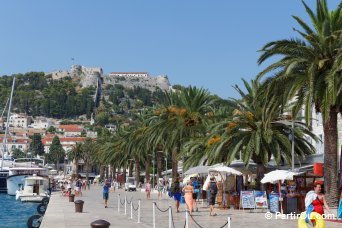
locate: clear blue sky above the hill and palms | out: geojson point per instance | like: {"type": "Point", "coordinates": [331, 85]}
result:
{"type": "Point", "coordinates": [203, 43]}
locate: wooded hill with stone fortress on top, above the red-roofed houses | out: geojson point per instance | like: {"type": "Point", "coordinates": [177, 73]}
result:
{"type": "Point", "coordinates": [81, 91]}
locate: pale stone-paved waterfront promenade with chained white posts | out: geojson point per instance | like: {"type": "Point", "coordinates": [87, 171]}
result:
{"type": "Point", "coordinates": [60, 213]}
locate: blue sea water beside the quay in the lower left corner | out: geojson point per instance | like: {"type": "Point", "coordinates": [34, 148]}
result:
{"type": "Point", "coordinates": [14, 213]}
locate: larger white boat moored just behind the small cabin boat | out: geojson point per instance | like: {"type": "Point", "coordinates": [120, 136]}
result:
{"type": "Point", "coordinates": [20, 171]}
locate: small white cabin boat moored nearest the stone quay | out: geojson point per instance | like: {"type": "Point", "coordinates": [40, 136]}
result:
{"type": "Point", "coordinates": [34, 189]}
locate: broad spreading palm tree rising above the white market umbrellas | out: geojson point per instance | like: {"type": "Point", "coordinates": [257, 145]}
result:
{"type": "Point", "coordinates": [253, 131]}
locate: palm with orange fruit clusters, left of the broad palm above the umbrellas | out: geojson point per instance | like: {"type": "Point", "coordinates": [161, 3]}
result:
{"type": "Point", "coordinates": [183, 115]}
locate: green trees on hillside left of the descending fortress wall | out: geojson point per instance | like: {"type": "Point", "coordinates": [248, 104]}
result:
{"type": "Point", "coordinates": [39, 95]}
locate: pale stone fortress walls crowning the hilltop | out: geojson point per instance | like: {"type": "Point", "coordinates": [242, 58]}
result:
{"type": "Point", "coordinates": [90, 76]}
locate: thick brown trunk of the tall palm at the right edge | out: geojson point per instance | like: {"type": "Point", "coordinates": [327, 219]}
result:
{"type": "Point", "coordinates": [330, 158]}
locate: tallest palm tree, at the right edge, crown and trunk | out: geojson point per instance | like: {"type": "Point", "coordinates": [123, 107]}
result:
{"type": "Point", "coordinates": [310, 70]}
